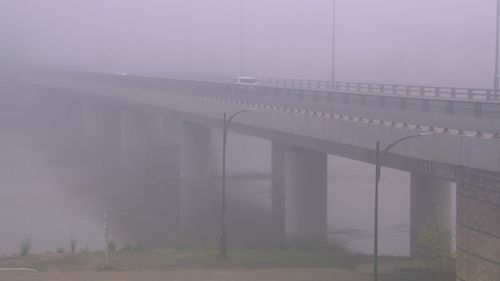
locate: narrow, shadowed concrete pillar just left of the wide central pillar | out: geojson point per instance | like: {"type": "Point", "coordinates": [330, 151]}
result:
{"type": "Point", "coordinates": [278, 151]}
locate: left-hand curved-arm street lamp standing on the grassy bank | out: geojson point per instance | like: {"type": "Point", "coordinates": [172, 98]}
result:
{"type": "Point", "coordinates": [225, 127]}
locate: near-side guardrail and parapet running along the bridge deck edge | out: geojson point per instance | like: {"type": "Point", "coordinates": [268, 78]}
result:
{"type": "Point", "coordinates": [470, 115]}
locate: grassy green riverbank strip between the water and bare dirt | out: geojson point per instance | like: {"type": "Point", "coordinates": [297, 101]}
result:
{"type": "Point", "coordinates": [184, 259]}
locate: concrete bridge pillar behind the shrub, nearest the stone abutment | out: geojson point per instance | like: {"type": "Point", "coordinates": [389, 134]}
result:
{"type": "Point", "coordinates": [430, 207]}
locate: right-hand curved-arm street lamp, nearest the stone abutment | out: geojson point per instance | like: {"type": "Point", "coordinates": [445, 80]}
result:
{"type": "Point", "coordinates": [379, 157]}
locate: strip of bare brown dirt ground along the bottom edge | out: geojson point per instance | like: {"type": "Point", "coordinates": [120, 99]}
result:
{"type": "Point", "coordinates": [289, 274]}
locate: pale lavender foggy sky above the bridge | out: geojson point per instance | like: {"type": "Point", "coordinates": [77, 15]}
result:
{"type": "Point", "coordinates": [425, 42]}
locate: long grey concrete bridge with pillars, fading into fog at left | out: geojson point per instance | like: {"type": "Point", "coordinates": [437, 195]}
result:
{"type": "Point", "coordinates": [305, 124]}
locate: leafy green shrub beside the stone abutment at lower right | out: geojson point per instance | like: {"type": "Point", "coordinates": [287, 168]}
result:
{"type": "Point", "coordinates": [433, 245]}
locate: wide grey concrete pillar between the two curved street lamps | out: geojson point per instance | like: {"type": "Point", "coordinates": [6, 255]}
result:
{"type": "Point", "coordinates": [305, 196]}
